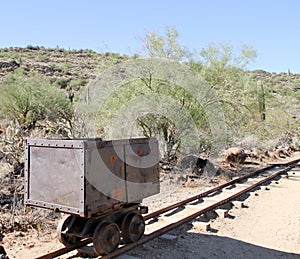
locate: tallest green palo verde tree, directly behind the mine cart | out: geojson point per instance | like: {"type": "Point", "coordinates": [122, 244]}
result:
{"type": "Point", "coordinates": [155, 77]}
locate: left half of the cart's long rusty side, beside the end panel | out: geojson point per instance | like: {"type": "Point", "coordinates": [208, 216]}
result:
{"type": "Point", "coordinates": [105, 177]}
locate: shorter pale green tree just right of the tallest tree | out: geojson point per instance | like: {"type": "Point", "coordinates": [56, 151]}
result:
{"type": "Point", "coordinates": [223, 66]}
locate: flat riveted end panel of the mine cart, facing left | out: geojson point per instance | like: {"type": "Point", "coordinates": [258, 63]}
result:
{"type": "Point", "coordinates": [55, 176]}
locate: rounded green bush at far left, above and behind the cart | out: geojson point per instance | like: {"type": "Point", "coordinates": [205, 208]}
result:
{"type": "Point", "coordinates": [29, 99]}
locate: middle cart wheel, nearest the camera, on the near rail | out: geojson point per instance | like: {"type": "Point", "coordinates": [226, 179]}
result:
{"type": "Point", "coordinates": [106, 237]}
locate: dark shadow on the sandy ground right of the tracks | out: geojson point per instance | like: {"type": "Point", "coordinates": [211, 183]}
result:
{"type": "Point", "coordinates": [192, 245]}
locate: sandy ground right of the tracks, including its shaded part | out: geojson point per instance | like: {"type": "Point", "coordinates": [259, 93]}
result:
{"type": "Point", "coordinates": [268, 227]}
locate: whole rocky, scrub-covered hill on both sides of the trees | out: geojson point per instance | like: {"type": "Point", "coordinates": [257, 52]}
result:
{"type": "Point", "coordinates": [71, 70]}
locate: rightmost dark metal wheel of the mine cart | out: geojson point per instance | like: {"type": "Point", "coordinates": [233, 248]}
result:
{"type": "Point", "coordinates": [133, 227]}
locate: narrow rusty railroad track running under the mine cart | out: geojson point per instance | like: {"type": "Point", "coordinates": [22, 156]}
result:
{"type": "Point", "coordinates": [166, 219]}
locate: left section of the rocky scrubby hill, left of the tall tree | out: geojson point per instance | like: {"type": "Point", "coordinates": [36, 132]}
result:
{"type": "Point", "coordinates": [68, 68]}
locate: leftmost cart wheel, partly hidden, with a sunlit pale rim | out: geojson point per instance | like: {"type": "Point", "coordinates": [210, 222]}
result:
{"type": "Point", "coordinates": [62, 227]}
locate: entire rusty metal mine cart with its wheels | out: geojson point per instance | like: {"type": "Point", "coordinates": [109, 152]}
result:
{"type": "Point", "coordinates": [99, 185]}
